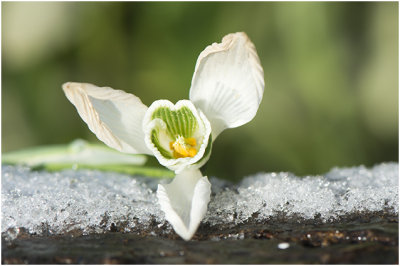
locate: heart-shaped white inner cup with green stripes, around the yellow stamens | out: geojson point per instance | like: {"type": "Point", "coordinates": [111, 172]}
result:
{"type": "Point", "coordinates": [165, 122]}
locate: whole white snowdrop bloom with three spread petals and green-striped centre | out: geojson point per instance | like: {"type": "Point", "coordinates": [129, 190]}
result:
{"type": "Point", "coordinates": [227, 88]}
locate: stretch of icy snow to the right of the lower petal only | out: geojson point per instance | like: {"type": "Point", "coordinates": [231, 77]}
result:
{"type": "Point", "coordinates": [340, 192]}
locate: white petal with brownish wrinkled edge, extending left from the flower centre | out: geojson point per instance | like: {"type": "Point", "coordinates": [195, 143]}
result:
{"type": "Point", "coordinates": [113, 115]}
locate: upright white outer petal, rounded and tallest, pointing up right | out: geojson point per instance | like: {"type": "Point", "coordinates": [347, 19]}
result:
{"type": "Point", "coordinates": [228, 82]}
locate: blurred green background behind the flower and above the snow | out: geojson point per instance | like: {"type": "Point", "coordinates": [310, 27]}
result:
{"type": "Point", "coordinates": [331, 72]}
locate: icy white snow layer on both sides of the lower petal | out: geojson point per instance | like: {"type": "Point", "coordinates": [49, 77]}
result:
{"type": "Point", "coordinates": [94, 201]}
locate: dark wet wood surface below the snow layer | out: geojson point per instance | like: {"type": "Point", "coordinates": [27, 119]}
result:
{"type": "Point", "coordinates": [364, 239]}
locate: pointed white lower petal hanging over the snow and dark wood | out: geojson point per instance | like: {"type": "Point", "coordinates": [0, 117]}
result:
{"type": "Point", "coordinates": [184, 201]}
